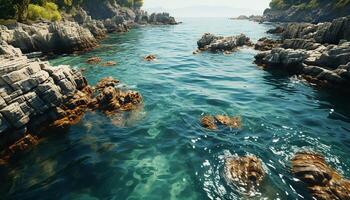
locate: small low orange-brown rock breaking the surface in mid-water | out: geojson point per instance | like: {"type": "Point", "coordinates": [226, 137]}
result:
{"type": "Point", "coordinates": [213, 122]}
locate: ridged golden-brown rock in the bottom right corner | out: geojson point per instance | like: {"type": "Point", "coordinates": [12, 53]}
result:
{"type": "Point", "coordinates": [323, 181]}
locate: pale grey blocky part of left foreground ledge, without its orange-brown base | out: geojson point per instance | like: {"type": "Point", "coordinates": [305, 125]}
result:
{"type": "Point", "coordinates": [30, 91]}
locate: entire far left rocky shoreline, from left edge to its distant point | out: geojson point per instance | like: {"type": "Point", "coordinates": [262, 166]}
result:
{"type": "Point", "coordinates": [80, 32]}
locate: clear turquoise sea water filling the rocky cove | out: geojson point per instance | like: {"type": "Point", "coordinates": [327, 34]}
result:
{"type": "Point", "coordinates": [161, 151]}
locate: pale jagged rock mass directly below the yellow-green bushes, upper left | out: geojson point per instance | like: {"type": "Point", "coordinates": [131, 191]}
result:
{"type": "Point", "coordinates": [59, 37]}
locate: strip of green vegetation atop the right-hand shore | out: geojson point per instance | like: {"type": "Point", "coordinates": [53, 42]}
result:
{"type": "Point", "coordinates": [307, 4]}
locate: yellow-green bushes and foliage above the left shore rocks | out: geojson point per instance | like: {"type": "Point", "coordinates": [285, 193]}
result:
{"type": "Point", "coordinates": [23, 10]}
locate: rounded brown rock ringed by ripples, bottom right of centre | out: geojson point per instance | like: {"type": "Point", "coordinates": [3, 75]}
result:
{"type": "Point", "coordinates": [246, 172]}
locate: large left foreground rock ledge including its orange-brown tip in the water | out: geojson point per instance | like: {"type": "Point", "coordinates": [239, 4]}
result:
{"type": "Point", "coordinates": [35, 96]}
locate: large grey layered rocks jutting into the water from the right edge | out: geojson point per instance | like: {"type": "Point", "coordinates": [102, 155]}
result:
{"type": "Point", "coordinates": [320, 53]}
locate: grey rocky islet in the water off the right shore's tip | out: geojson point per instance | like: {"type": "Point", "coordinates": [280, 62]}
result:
{"type": "Point", "coordinates": [215, 43]}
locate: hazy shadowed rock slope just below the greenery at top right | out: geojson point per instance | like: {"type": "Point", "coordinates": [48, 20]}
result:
{"type": "Point", "coordinates": [323, 12]}
